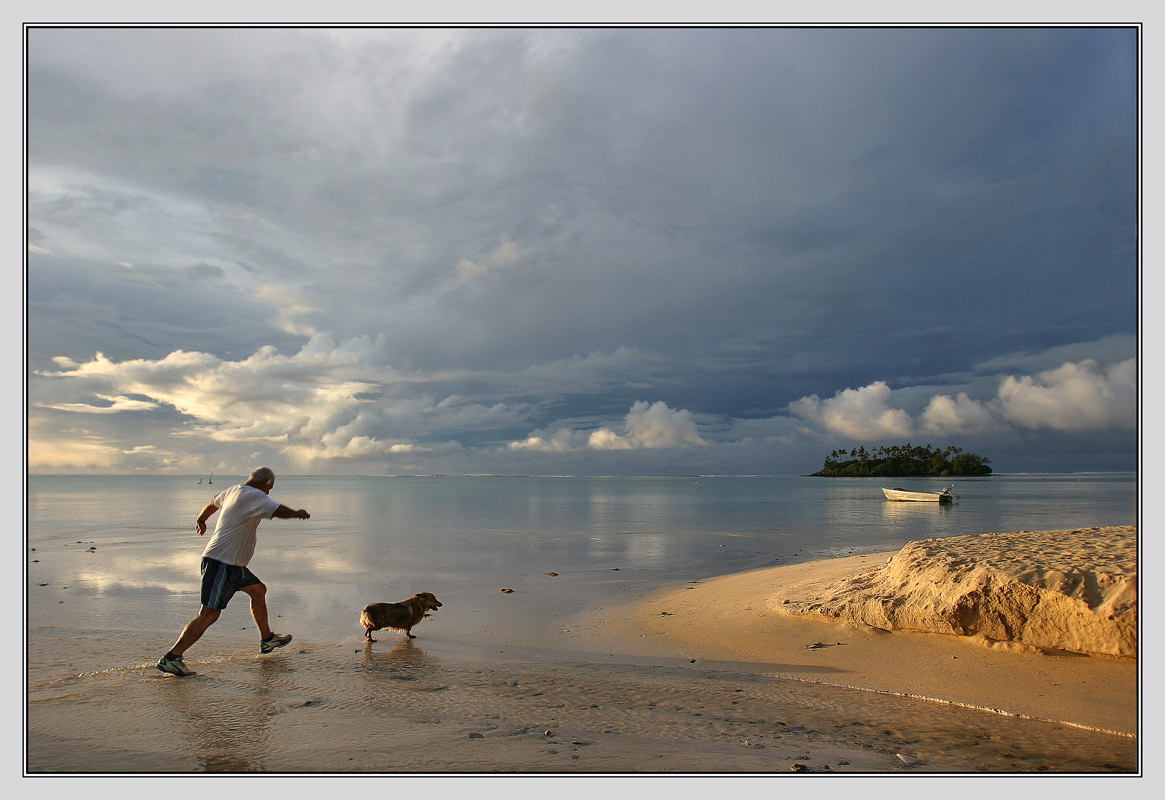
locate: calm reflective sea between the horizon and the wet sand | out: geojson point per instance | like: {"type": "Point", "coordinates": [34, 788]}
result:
{"type": "Point", "coordinates": [125, 551]}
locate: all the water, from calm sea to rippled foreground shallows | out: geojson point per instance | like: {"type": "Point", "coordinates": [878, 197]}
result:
{"type": "Point", "coordinates": [115, 576]}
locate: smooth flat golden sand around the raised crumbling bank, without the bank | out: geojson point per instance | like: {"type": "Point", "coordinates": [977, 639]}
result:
{"type": "Point", "coordinates": [739, 619]}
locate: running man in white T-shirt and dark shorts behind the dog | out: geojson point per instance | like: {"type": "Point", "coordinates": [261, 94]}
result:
{"type": "Point", "coordinates": [225, 564]}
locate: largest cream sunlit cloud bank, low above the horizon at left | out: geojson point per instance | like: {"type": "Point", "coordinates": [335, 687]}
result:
{"type": "Point", "coordinates": [326, 402]}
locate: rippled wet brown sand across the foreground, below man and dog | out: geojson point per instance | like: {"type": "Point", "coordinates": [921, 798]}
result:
{"type": "Point", "coordinates": [403, 709]}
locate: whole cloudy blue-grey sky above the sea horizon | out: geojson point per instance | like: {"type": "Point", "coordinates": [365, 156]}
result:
{"type": "Point", "coordinates": [577, 251]}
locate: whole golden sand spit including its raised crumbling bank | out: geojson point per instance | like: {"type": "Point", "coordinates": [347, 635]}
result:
{"type": "Point", "coordinates": [845, 622]}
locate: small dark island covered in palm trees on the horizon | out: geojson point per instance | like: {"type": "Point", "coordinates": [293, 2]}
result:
{"type": "Point", "coordinates": [903, 462]}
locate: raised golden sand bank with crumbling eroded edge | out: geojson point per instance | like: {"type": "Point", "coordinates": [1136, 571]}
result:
{"type": "Point", "coordinates": [1074, 591]}
